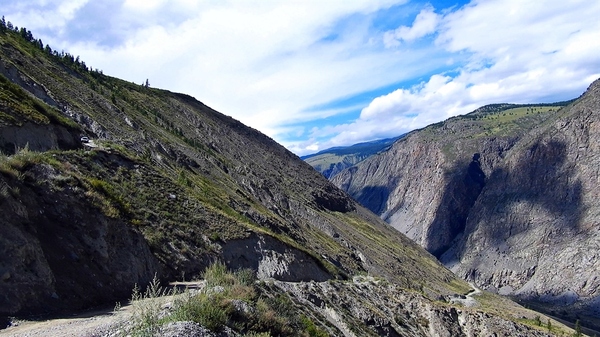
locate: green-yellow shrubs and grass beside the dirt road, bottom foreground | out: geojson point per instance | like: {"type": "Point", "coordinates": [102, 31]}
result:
{"type": "Point", "coordinates": [232, 299]}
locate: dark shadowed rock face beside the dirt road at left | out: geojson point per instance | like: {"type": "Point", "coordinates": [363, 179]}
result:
{"type": "Point", "coordinates": [58, 252]}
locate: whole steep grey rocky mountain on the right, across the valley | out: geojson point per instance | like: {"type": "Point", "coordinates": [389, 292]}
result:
{"type": "Point", "coordinates": [505, 196]}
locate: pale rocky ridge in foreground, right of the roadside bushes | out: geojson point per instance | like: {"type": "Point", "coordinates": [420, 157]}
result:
{"type": "Point", "coordinates": [370, 307]}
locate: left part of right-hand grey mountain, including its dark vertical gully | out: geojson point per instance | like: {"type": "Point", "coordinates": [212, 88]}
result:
{"type": "Point", "coordinates": [404, 185]}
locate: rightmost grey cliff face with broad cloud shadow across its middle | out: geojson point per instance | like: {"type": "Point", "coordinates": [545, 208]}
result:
{"type": "Point", "coordinates": [533, 232]}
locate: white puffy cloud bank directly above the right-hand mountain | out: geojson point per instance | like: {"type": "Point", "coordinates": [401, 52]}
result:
{"type": "Point", "coordinates": [518, 52]}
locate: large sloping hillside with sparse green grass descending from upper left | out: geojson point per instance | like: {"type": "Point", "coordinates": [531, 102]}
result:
{"type": "Point", "coordinates": [105, 184]}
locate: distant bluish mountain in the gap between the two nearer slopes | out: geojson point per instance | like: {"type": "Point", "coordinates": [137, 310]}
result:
{"type": "Point", "coordinates": [333, 160]}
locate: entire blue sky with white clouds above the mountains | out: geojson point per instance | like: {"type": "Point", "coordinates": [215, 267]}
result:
{"type": "Point", "coordinates": [314, 74]}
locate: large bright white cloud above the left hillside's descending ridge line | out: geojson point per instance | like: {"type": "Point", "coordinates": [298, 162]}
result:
{"type": "Point", "coordinates": [261, 63]}
